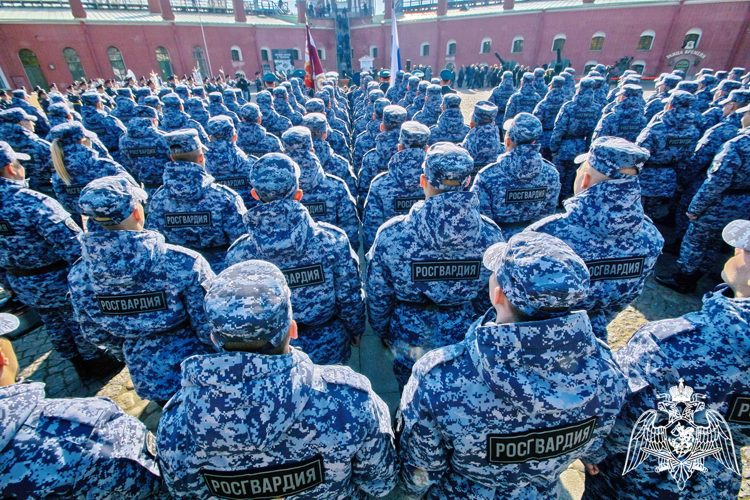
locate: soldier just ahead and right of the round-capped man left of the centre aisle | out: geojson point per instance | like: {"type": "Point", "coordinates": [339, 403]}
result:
{"type": "Point", "coordinates": [326, 197]}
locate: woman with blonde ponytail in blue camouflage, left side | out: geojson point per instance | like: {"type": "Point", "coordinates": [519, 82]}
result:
{"type": "Point", "coordinates": [76, 164]}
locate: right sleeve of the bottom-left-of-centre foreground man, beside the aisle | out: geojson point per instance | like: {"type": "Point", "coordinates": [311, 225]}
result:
{"type": "Point", "coordinates": [375, 465]}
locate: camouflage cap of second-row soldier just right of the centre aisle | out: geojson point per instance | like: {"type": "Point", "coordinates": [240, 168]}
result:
{"type": "Point", "coordinates": [448, 167]}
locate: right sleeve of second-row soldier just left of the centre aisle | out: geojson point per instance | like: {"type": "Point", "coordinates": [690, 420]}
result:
{"type": "Point", "coordinates": [348, 288]}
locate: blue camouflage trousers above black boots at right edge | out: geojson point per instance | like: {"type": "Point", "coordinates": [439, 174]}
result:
{"type": "Point", "coordinates": [703, 238]}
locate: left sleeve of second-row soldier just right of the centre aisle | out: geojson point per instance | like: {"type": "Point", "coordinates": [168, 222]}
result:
{"type": "Point", "coordinates": [381, 296]}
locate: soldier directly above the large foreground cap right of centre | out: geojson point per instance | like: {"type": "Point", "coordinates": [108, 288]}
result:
{"type": "Point", "coordinates": [521, 187]}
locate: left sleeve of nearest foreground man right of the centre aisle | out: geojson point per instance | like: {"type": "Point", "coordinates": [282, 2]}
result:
{"type": "Point", "coordinates": [424, 456]}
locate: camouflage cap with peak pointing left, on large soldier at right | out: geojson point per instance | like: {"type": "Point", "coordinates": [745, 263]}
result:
{"type": "Point", "coordinates": [609, 155]}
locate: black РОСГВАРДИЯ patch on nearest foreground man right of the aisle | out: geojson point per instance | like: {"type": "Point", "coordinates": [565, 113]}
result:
{"type": "Point", "coordinates": [542, 444]}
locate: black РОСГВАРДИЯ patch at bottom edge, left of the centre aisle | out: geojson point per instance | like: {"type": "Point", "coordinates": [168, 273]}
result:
{"type": "Point", "coordinates": [279, 481]}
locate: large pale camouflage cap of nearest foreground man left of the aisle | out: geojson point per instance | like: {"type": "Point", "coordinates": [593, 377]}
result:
{"type": "Point", "coordinates": [247, 302]}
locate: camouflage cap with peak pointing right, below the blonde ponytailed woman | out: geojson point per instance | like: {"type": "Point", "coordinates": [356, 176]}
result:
{"type": "Point", "coordinates": [110, 200]}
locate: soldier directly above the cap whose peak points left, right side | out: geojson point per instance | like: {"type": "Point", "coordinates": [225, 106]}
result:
{"type": "Point", "coordinates": [626, 120]}
